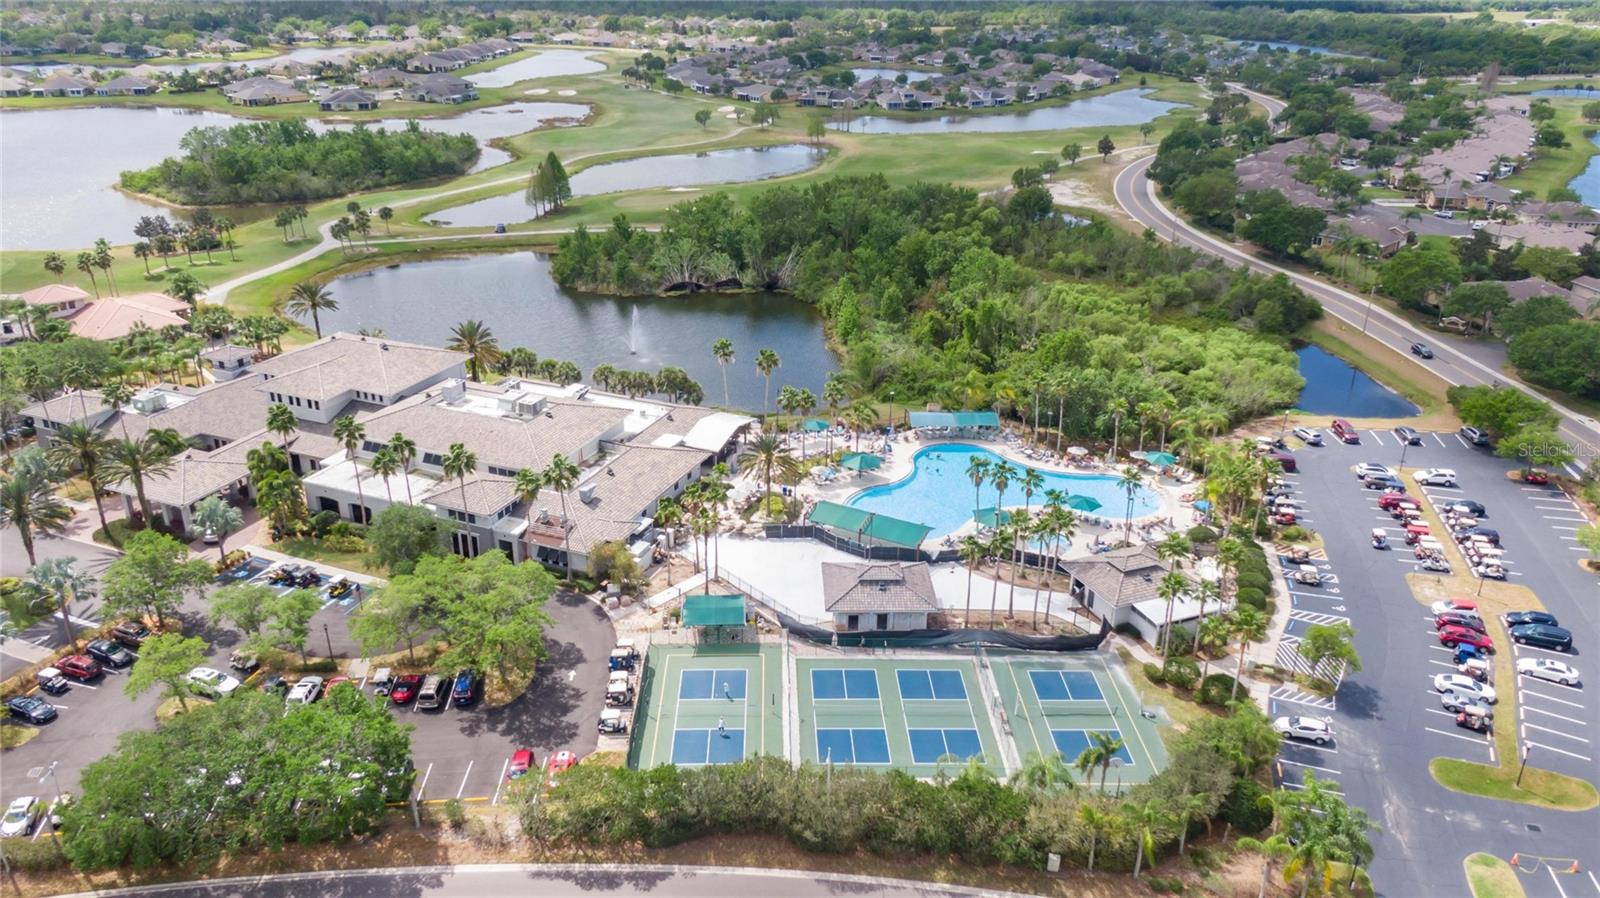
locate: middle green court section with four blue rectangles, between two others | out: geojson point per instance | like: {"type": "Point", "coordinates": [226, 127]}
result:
{"type": "Point", "coordinates": [916, 715]}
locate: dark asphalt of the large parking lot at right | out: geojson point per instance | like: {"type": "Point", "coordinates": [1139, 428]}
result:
{"type": "Point", "coordinates": [1388, 720]}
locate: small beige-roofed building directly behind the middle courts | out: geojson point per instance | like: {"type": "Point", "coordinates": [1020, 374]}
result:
{"type": "Point", "coordinates": [879, 596]}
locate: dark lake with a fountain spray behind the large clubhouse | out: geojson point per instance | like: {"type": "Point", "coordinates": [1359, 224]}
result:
{"type": "Point", "coordinates": [519, 300]}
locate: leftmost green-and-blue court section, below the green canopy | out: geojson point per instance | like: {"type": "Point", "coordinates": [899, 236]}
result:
{"type": "Point", "coordinates": [708, 705]}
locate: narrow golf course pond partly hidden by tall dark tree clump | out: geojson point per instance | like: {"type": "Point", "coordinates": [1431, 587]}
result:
{"type": "Point", "coordinates": [686, 170]}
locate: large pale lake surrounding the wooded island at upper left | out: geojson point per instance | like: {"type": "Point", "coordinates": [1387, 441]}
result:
{"type": "Point", "coordinates": [58, 180]}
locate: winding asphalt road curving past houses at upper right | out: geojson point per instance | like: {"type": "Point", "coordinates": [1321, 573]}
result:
{"type": "Point", "coordinates": [1457, 361]}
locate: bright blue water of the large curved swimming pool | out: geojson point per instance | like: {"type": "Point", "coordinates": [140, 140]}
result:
{"type": "Point", "coordinates": [940, 495]}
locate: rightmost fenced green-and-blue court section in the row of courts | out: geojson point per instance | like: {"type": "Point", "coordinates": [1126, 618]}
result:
{"type": "Point", "coordinates": [1057, 705]}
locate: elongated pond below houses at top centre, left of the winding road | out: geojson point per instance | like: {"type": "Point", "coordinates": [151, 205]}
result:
{"type": "Point", "coordinates": [1122, 108]}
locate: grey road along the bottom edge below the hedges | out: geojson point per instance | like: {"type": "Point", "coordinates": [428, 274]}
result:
{"type": "Point", "coordinates": [566, 881]}
